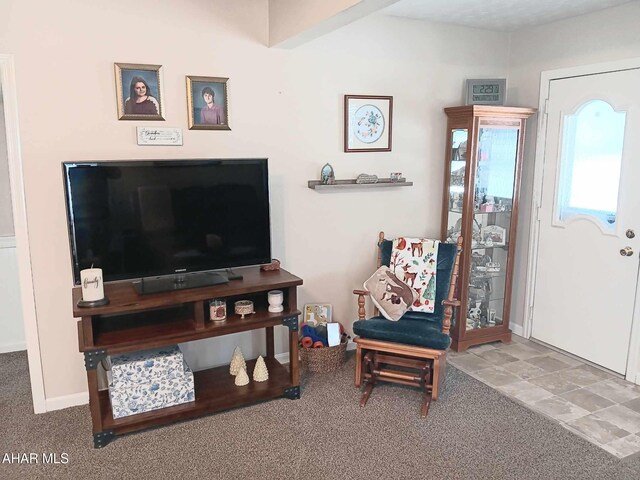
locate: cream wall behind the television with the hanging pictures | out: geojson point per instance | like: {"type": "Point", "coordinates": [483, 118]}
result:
{"type": "Point", "coordinates": [285, 105]}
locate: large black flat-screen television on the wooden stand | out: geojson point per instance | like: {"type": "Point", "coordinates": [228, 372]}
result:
{"type": "Point", "coordinates": [167, 224]}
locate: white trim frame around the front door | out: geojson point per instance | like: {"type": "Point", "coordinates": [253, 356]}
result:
{"type": "Point", "coordinates": [633, 359]}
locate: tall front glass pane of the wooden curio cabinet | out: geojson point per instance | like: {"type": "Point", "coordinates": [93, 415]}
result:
{"type": "Point", "coordinates": [495, 170]}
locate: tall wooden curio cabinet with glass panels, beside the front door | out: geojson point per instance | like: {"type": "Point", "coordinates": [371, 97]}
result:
{"type": "Point", "coordinates": [481, 189]}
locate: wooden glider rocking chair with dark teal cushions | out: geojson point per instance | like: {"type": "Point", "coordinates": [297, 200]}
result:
{"type": "Point", "coordinates": [413, 350]}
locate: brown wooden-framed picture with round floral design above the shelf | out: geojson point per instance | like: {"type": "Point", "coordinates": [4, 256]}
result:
{"type": "Point", "coordinates": [368, 121]}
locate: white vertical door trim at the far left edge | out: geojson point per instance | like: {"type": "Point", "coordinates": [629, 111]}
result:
{"type": "Point", "coordinates": [23, 252]}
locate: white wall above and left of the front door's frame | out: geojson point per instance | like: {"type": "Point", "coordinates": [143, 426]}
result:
{"type": "Point", "coordinates": [604, 36]}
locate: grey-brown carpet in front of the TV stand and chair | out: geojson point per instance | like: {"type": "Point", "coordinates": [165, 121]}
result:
{"type": "Point", "coordinates": [472, 432]}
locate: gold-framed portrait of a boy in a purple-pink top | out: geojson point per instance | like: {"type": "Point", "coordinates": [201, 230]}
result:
{"type": "Point", "coordinates": [208, 103]}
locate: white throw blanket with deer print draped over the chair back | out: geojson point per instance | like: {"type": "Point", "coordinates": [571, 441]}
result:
{"type": "Point", "coordinates": [414, 261]}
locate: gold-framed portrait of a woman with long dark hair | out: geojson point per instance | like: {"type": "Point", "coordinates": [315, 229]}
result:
{"type": "Point", "coordinates": [138, 91]}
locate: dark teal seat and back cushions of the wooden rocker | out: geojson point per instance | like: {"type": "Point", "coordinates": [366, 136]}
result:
{"type": "Point", "coordinates": [415, 328]}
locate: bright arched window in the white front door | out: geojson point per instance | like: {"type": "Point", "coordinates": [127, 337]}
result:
{"type": "Point", "coordinates": [590, 159]}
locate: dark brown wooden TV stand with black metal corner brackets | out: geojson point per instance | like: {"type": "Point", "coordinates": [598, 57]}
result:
{"type": "Point", "coordinates": [133, 322]}
